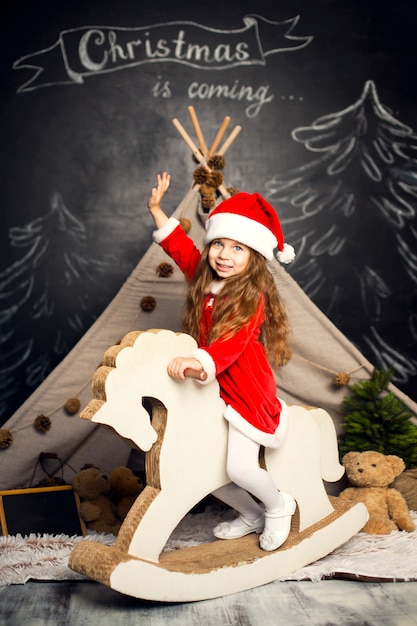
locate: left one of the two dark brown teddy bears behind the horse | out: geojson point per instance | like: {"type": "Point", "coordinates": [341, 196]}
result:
{"type": "Point", "coordinates": [96, 508]}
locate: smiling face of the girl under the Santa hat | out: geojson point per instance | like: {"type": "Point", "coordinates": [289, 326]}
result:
{"type": "Point", "coordinates": [228, 257]}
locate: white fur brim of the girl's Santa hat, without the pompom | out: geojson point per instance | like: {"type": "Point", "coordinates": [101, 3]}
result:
{"type": "Point", "coordinates": [242, 229]}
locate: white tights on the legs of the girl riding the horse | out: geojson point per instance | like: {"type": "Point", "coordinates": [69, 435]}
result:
{"type": "Point", "coordinates": [246, 475]}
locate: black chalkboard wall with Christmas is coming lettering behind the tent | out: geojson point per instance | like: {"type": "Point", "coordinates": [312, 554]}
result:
{"type": "Point", "coordinates": [326, 97]}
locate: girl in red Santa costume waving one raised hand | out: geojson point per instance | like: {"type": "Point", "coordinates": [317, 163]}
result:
{"type": "Point", "coordinates": [235, 314]}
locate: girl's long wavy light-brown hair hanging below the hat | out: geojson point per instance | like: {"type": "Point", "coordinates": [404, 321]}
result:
{"type": "Point", "coordinates": [237, 305]}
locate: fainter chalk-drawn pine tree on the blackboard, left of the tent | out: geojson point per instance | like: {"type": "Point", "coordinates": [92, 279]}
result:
{"type": "Point", "coordinates": [47, 301]}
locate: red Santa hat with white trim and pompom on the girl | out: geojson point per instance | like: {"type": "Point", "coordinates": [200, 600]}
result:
{"type": "Point", "coordinates": [251, 220]}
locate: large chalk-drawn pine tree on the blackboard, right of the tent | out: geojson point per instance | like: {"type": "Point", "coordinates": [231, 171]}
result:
{"type": "Point", "coordinates": [351, 214]}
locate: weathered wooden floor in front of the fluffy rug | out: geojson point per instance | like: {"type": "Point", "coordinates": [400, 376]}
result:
{"type": "Point", "coordinates": [326, 603]}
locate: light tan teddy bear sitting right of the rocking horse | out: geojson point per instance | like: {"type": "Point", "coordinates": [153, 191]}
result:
{"type": "Point", "coordinates": [370, 473]}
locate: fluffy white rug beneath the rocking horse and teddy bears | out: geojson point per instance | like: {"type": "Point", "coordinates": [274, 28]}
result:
{"type": "Point", "coordinates": [45, 557]}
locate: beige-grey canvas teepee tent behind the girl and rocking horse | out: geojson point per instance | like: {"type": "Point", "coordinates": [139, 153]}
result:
{"type": "Point", "coordinates": [320, 352]}
